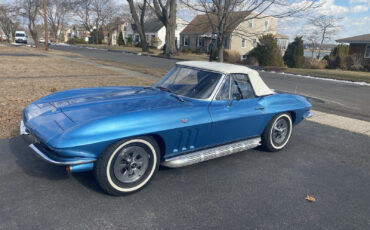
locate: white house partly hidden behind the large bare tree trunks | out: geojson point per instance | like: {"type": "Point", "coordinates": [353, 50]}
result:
{"type": "Point", "coordinates": [155, 32]}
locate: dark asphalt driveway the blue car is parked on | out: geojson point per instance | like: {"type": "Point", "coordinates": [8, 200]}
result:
{"type": "Point", "coordinates": [249, 190]}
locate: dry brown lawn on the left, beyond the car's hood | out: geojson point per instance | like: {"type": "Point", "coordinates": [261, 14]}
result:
{"type": "Point", "coordinates": [25, 79]}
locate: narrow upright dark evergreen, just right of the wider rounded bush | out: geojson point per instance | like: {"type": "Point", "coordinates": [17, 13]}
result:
{"type": "Point", "coordinates": [293, 56]}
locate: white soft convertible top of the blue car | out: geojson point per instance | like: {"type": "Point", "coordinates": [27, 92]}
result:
{"type": "Point", "coordinates": [259, 86]}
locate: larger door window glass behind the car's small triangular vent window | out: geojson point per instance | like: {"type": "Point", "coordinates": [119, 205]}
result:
{"type": "Point", "coordinates": [240, 85]}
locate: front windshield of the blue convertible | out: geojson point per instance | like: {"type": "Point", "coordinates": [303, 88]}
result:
{"type": "Point", "coordinates": [190, 82]}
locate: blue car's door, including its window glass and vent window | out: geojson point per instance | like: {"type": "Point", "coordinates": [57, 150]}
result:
{"type": "Point", "coordinates": [236, 112]}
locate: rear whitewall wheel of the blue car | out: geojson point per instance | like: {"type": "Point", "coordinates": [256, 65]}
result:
{"type": "Point", "coordinates": [277, 132]}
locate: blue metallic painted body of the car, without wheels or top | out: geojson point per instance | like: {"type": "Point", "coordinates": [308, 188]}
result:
{"type": "Point", "coordinates": [83, 122]}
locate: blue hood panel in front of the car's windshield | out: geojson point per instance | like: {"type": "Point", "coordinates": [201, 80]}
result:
{"type": "Point", "coordinates": [89, 105]}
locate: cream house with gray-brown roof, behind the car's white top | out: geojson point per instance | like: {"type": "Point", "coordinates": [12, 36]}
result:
{"type": "Point", "coordinates": [241, 36]}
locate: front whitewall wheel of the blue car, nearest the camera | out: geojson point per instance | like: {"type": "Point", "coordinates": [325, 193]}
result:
{"type": "Point", "coordinates": [127, 165]}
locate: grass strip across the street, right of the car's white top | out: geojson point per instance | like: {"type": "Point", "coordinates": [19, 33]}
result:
{"type": "Point", "coordinates": [333, 74]}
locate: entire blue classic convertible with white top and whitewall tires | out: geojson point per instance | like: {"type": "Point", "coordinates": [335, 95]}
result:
{"type": "Point", "coordinates": [197, 112]}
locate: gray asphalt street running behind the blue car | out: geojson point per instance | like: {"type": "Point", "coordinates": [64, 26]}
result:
{"type": "Point", "coordinates": [327, 96]}
